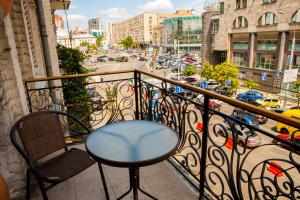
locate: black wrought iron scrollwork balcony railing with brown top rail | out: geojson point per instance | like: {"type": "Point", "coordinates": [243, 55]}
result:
{"type": "Point", "coordinates": [223, 155]}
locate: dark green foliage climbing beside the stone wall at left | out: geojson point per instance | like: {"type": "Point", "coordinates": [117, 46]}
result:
{"type": "Point", "coordinates": [74, 91]}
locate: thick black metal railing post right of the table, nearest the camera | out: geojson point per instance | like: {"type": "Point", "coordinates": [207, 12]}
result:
{"type": "Point", "coordinates": [205, 118]}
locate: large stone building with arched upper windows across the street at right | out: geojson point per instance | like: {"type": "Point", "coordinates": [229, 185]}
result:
{"type": "Point", "coordinates": [259, 36]}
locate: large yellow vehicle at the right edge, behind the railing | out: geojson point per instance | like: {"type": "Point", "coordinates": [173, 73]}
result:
{"type": "Point", "coordinates": [284, 128]}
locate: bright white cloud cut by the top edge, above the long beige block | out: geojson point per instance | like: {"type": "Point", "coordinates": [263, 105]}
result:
{"type": "Point", "coordinates": [156, 5]}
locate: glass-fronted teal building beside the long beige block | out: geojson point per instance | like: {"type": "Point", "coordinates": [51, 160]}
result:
{"type": "Point", "coordinates": [182, 34]}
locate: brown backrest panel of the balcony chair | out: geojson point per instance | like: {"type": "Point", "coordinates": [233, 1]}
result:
{"type": "Point", "coordinates": [41, 134]}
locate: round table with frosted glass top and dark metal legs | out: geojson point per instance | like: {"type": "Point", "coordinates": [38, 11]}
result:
{"type": "Point", "coordinates": [132, 144]}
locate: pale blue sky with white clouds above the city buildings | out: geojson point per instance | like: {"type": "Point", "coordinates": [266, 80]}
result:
{"type": "Point", "coordinates": [117, 10]}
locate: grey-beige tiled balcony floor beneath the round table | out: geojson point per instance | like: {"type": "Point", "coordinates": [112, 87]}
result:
{"type": "Point", "coordinates": [160, 180]}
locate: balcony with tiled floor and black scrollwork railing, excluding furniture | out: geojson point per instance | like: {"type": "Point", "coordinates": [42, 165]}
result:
{"type": "Point", "coordinates": [220, 156]}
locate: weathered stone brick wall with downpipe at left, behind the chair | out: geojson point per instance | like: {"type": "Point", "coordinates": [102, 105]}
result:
{"type": "Point", "coordinates": [28, 50]}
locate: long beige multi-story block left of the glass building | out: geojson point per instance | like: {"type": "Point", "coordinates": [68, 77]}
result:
{"type": "Point", "coordinates": [141, 27]}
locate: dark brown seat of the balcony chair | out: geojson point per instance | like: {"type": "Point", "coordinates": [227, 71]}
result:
{"type": "Point", "coordinates": [65, 165]}
